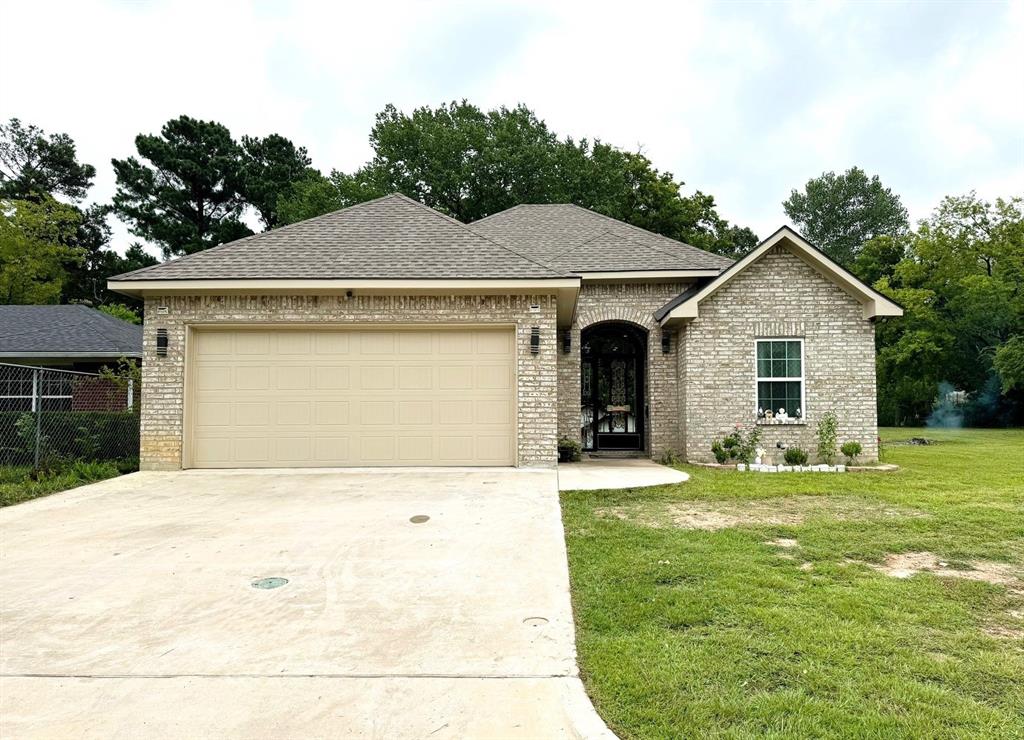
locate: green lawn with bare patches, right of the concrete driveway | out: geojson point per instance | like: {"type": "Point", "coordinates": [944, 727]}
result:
{"type": "Point", "coordinates": [726, 633]}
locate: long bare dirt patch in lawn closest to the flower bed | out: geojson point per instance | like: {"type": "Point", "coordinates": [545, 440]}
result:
{"type": "Point", "coordinates": [727, 514]}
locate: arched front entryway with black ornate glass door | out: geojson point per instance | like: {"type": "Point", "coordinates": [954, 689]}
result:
{"type": "Point", "coordinates": [614, 365]}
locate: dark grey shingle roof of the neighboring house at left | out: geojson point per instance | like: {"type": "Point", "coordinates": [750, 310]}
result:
{"type": "Point", "coordinates": [66, 332]}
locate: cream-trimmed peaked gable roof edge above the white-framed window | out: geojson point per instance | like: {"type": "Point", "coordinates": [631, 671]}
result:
{"type": "Point", "coordinates": [686, 307]}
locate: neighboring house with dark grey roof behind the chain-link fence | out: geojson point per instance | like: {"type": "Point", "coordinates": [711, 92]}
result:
{"type": "Point", "coordinates": [68, 338]}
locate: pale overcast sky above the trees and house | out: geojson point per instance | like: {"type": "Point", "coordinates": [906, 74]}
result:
{"type": "Point", "coordinates": [744, 101]}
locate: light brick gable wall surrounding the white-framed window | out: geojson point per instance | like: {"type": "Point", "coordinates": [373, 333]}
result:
{"type": "Point", "coordinates": [779, 296]}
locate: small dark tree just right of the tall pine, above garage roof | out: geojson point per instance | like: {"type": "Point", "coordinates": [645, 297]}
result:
{"type": "Point", "coordinates": [270, 167]}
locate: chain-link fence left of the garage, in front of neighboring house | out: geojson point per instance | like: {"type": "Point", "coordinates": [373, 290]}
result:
{"type": "Point", "coordinates": [53, 416]}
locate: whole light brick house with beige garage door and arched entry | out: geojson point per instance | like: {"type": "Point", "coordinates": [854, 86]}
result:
{"type": "Point", "coordinates": [388, 334]}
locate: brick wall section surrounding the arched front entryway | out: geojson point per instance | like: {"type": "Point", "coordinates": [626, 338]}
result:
{"type": "Point", "coordinates": [636, 303]}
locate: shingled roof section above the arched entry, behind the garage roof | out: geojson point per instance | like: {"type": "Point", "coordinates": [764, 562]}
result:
{"type": "Point", "coordinates": [575, 239]}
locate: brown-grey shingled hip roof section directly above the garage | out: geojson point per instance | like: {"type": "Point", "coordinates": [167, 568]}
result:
{"type": "Point", "coordinates": [392, 238]}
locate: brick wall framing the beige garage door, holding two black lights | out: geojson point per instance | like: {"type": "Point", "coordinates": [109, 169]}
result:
{"type": "Point", "coordinates": [163, 378]}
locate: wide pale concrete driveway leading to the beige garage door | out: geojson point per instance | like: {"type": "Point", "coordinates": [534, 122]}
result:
{"type": "Point", "coordinates": [129, 608]}
